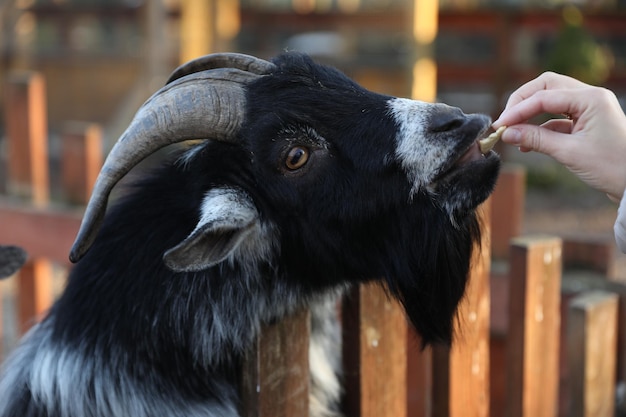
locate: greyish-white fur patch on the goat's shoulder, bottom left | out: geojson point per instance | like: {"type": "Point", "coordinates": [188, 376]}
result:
{"type": "Point", "coordinates": [71, 382]}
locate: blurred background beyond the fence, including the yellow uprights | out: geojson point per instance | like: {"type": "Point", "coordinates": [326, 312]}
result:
{"type": "Point", "coordinates": [102, 58]}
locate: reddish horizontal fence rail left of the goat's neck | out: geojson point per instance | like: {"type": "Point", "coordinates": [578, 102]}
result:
{"type": "Point", "coordinates": [43, 233]}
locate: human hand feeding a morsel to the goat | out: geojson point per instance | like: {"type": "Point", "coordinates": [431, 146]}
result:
{"type": "Point", "coordinates": [591, 142]}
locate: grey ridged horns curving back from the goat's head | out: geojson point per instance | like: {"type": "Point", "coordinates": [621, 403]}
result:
{"type": "Point", "coordinates": [202, 100]}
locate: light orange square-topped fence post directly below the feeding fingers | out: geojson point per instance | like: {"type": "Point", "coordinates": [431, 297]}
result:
{"type": "Point", "coordinates": [534, 323]}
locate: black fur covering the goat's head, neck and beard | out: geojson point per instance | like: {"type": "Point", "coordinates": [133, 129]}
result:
{"type": "Point", "coordinates": [348, 216]}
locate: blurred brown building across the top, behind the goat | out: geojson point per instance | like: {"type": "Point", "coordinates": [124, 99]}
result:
{"type": "Point", "coordinates": [101, 58]}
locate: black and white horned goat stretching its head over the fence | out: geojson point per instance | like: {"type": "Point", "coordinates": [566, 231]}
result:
{"type": "Point", "coordinates": [304, 184]}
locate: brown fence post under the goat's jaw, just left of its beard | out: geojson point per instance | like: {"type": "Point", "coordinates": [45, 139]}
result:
{"type": "Point", "coordinates": [375, 354]}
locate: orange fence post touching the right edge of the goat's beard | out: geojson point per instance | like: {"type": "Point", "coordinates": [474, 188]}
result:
{"type": "Point", "coordinates": [461, 373]}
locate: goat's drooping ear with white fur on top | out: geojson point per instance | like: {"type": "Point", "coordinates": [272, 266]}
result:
{"type": "Point", "coordinates": [228, 217]}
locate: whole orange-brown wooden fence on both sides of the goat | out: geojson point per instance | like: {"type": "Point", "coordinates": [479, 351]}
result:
{"type": "Point", "coordinates": [533, 338]}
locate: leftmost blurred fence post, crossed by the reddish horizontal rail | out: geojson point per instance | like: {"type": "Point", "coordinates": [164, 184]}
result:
{"type": "Point", "coordinates": [27, 132]}
